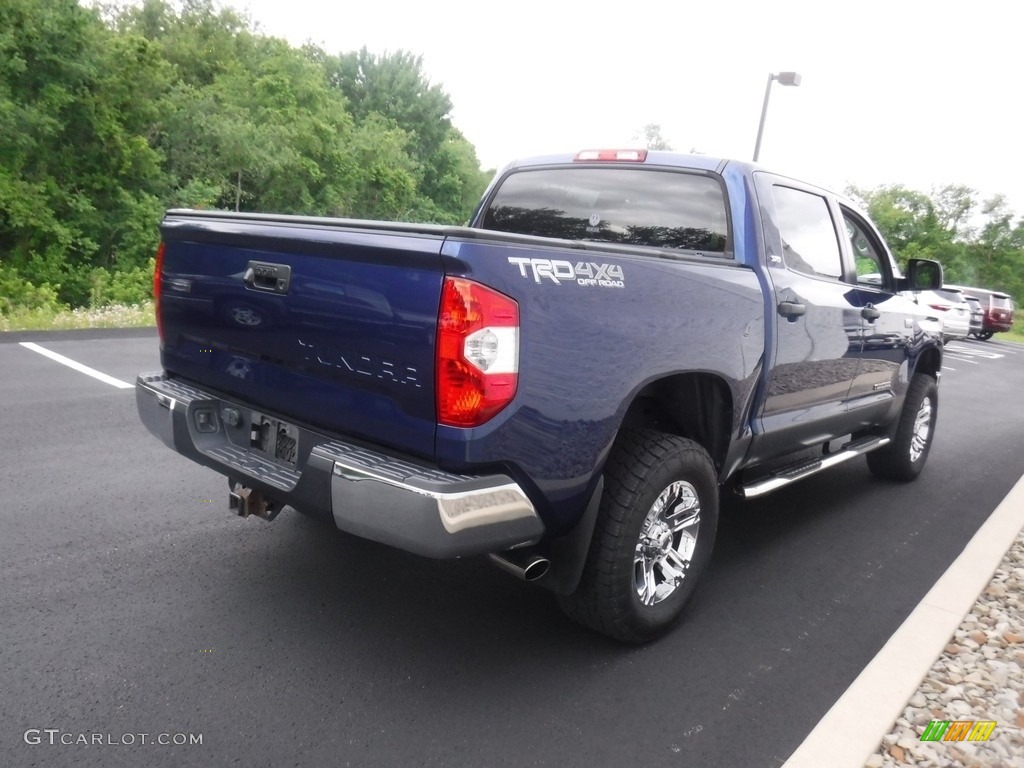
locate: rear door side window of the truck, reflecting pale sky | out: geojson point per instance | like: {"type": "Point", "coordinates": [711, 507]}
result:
{"type": "Point", "coordinates": [809, 241]}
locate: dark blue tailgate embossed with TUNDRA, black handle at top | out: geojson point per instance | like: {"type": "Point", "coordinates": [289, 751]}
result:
{"type": "Point", "coordinates": [326, 325]}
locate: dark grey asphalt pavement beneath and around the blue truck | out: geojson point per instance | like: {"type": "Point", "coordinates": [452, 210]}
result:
{"type": "Point", "coordinates": [134, 604]}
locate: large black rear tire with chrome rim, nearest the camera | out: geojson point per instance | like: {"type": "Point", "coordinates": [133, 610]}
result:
{"type": "Point", "coordinates": [644, 467]}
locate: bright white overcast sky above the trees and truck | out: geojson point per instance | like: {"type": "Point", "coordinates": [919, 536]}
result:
{"type": "Point", "coordinates": [903, 92]}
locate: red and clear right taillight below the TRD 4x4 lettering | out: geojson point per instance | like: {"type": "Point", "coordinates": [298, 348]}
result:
{"type": "Point", "coordinates": [478, 353]}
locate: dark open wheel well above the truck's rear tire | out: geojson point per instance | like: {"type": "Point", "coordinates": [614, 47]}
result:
{"type": "Point", "coordinates": [695, 406]}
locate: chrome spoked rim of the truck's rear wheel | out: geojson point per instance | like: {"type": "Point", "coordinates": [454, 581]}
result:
{"type": "Point", "coordinates": [667, 541]}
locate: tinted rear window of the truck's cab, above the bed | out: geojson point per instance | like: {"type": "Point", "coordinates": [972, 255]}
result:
{"type": "Point", "coordinates": [653, 207]}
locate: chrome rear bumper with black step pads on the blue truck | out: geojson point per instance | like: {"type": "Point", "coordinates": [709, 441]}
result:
{"type": "Point", "coordinates": [368, 493]}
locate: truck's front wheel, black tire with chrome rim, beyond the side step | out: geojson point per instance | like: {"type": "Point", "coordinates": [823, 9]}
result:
{"type": "Point", "coordinates": [906, 456]}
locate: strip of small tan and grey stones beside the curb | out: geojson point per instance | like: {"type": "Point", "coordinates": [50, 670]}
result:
{"type": "Point", "coordinates": [979, 677]}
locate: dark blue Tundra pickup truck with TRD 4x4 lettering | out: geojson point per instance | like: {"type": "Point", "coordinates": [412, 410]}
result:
{"type": "Point", "coordinates": [568, 385]}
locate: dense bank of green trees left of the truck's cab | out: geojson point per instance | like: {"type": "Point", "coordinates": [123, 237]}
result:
{"type": "Point", "coordinates": [110, 116]}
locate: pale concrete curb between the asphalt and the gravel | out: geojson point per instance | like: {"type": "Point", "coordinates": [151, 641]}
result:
{"type": "Point", "coordinates": [852, 730]}
